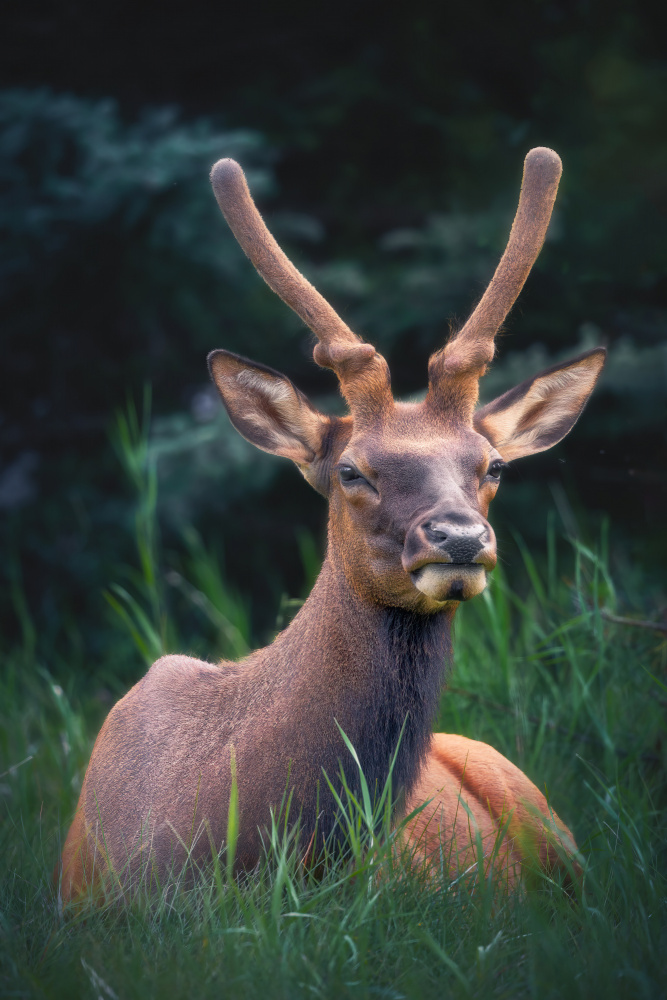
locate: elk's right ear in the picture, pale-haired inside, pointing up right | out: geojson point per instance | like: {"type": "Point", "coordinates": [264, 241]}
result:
{"type": "Point", "coordinates": [541, 411]}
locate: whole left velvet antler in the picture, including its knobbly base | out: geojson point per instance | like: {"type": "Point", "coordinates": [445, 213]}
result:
{"type": "Point", "coordinates": [363, 372]}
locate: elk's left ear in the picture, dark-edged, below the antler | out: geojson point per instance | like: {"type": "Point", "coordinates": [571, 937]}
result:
{"type": "Point", "coordinates": [267, 409]}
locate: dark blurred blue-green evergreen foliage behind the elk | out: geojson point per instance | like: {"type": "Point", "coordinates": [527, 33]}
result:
{"type": "Point", "coordinates": [385, 147]}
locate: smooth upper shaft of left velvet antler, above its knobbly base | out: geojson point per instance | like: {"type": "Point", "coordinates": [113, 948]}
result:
{"type": "Point", "coordinates": [236, 204]}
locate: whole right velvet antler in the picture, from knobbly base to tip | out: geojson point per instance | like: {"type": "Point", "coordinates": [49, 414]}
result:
{"type": "Point", "coordinates": [470, 351]}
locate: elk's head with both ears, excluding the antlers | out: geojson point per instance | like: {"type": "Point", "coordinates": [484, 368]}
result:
{"type": "Point", "coordinates": [409, 489]}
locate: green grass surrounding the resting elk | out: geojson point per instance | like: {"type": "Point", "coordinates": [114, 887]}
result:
{"type": "Point", "coordinates": [574, 697]}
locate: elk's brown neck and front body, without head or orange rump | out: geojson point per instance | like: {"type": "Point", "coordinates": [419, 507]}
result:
{"type": "Point", "coordinates": [171, 737]}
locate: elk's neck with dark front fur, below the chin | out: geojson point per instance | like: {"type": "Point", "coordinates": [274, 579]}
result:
{"type": "Point", "coordinates": [375, 670]}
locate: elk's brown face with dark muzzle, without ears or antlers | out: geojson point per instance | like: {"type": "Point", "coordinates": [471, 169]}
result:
{"type": "Point", "coordinates": [408, 505]}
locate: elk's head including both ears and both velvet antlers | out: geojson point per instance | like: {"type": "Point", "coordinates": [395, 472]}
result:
{"type": "Point", "coordinates": [409, 484]}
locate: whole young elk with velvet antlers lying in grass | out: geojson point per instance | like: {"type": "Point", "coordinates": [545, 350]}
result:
{"type": "Point", "coordinates": [409, 487]}
